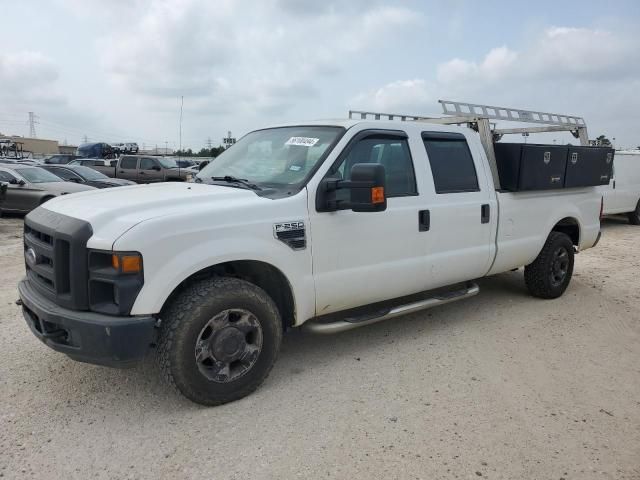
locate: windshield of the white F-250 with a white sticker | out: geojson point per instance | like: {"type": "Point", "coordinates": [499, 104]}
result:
{"type": "Point", "coordinates": [275, 157]}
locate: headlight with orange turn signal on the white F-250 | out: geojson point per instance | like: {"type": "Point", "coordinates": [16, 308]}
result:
{"type": "Point", "coordinates": [115, 279]}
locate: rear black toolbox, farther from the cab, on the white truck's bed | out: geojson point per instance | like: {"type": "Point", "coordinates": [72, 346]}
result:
{"type": "Point", "coordinates": [589, 166]}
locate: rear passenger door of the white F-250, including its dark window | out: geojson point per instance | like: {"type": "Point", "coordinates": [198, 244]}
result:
{"type": "Point", "coordinates": [462, 209]}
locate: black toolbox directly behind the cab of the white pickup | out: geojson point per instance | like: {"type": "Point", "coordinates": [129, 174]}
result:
{"type": "Point", "coordinates": [524, 166]}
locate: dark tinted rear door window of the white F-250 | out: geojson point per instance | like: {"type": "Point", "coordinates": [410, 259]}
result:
{"type": "Point", "coordinates": [451, 162]}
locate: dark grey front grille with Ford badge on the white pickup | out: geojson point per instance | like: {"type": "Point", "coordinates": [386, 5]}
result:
{"type": "Point", "coordinates": [56, 257]}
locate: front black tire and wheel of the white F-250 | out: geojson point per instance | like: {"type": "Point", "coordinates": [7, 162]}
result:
{"type": "Point", "coordinates": [228, 308]}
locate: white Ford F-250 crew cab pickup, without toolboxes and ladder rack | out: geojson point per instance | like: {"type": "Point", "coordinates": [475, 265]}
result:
{"type": "Point", "coordinates": [332, 225]}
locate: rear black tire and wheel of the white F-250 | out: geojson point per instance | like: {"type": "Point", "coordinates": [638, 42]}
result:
{"type": "Point", "coordinates": [550, 273]}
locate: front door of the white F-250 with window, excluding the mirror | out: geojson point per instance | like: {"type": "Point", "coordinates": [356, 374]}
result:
{"type": "Point", "coordinates": [365, 257]}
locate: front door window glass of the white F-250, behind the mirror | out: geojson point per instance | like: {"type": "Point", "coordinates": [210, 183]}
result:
{"type": "Point", "coordinates": [388, 150]}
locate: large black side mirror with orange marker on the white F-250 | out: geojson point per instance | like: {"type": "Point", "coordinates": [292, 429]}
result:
{"type": "Point", "coordinates": [367, 190]}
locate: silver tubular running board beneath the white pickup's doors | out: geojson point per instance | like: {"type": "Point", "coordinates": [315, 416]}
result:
{"type": "Point", "coordinates": [350, 323]}
